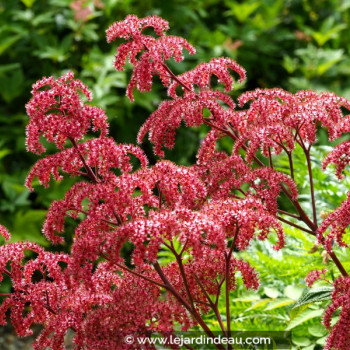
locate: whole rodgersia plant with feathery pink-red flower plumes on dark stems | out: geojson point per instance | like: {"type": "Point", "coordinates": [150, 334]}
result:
{"type": "Point", "coordinates": [202, 214]}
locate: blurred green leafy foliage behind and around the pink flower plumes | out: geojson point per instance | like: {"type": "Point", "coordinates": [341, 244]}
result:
{"type": "Point", "coordinates": [293, 44]}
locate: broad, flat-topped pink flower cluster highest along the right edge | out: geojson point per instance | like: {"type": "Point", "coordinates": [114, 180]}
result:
{"type": "Point", "coordinates": [276, 119]}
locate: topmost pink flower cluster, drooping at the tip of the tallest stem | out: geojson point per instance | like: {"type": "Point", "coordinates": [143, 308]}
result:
{"type": "Point", "coordinates": [146, 53]}
